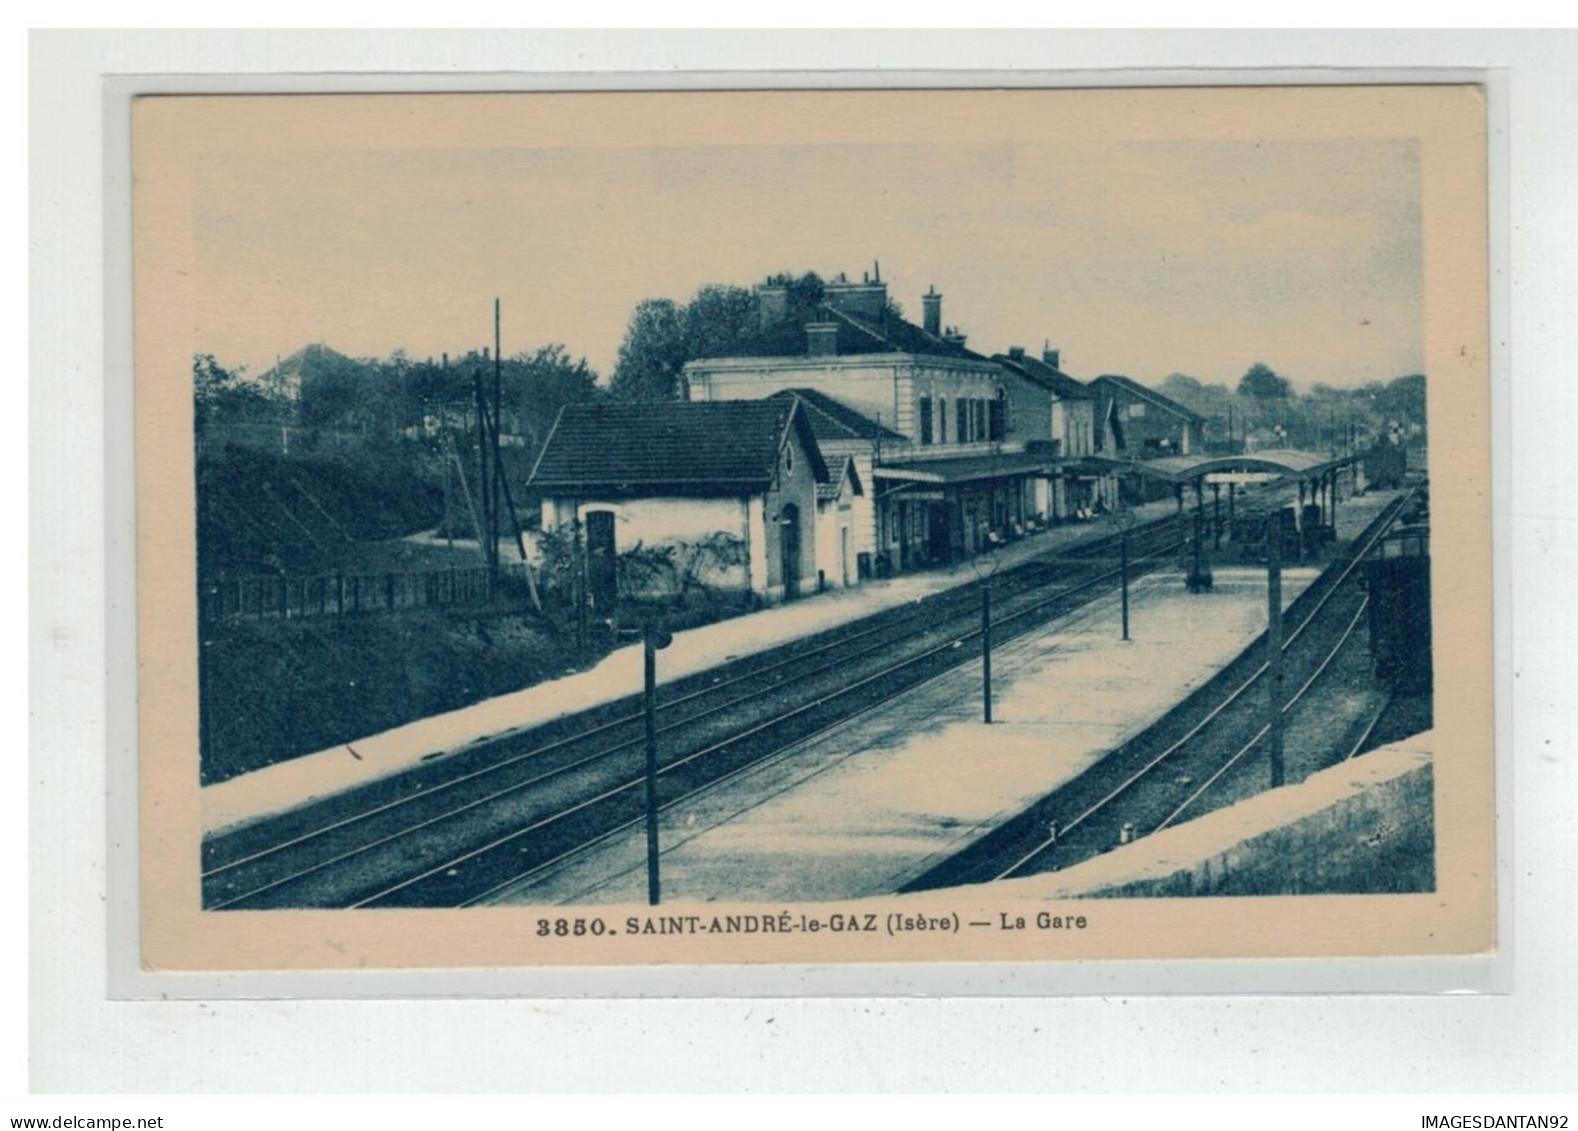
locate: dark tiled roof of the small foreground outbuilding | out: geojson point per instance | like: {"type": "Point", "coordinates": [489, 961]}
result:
{"type": "Point", "coordinates": [675, 447]}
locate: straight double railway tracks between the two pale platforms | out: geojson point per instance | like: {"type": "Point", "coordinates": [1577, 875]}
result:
{"type": "Point", "coordinates": [457, 831]}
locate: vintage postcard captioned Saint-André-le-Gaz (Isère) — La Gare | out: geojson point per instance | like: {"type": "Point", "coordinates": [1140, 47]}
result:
{"type": "Point", "coordinates": [813, 528]}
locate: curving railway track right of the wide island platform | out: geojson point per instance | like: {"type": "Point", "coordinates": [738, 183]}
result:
{"type": "Point", "coordinates": [1181, 766]}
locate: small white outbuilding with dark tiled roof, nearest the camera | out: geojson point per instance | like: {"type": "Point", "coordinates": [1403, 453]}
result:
{"type": "Point", "coordinates": [682, 476]}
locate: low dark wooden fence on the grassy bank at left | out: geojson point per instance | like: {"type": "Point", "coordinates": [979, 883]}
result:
{"type": "Point", "coordinates": [345, 594]}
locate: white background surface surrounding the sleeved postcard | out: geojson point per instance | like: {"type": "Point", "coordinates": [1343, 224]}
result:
{"type": "Point", "coordinates": [80, 1042]}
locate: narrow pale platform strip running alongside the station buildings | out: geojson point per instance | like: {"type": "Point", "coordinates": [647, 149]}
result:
{"type": "Point", "coordinates": [312, 777]}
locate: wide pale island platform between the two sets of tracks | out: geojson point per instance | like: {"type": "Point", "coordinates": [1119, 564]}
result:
{"type": "Point", "coordinates": [878, 801]}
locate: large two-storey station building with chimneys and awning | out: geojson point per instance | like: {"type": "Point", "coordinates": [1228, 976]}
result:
{"type": "Point", "coordinates": [957, 450]}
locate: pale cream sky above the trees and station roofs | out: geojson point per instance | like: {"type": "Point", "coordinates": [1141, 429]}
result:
{"type": "Point", "coordinates": [1142, 255]}
